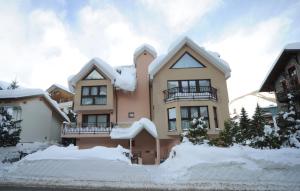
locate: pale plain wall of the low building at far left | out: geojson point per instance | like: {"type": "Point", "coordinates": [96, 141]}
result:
{"type": "Point", "coordinates": [39, 123]}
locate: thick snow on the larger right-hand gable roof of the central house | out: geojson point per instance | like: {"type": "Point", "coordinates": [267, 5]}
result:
{"type": "Point", "coordinates": [212, 57]}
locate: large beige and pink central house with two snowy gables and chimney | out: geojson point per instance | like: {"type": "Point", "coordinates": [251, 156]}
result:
{"type": "Point", "coordinates": [114, 105]}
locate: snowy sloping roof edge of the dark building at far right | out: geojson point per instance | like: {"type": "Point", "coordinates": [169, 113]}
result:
{"type": "Point", "coordinates": [289, 47]}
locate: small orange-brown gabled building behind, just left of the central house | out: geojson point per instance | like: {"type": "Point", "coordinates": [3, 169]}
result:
{"type": "Point", "coordinates": [63, 96]}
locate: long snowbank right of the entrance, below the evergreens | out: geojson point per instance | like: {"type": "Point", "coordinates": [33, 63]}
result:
{"type": "Point", "coordinates": [187, 155]}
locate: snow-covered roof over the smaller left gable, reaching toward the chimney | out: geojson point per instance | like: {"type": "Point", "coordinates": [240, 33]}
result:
{"type": "Point", "coordinates": [125, 80]}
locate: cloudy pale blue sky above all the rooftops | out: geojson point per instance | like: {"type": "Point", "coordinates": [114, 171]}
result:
{"type": "Point", "coordinates": [44, 42]}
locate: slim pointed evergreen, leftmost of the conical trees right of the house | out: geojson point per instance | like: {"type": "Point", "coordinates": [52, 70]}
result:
{"type": "Point", "coordinates": [244, 132]}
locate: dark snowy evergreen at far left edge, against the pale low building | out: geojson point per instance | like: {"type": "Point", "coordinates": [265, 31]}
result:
{"type": "Point", "coordinates": [9, 129]}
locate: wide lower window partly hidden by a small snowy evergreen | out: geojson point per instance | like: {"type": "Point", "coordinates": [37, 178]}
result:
{"type": "Point", "coordinates": [188, 113]}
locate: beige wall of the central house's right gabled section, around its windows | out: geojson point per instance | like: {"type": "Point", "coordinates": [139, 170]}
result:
{"type": "Point", "coordinates": [218, 81]}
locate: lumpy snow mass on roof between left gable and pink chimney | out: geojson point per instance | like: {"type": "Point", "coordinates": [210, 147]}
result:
{"type": "Point", "coordinates": [126, 79]}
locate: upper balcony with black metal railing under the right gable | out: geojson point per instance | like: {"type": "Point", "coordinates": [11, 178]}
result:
{"type": "Point", "coordinates": [191, 93]}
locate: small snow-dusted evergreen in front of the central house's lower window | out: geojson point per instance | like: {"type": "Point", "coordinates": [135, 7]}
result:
{"type": "Point", "coordinates": [197, 133]}
